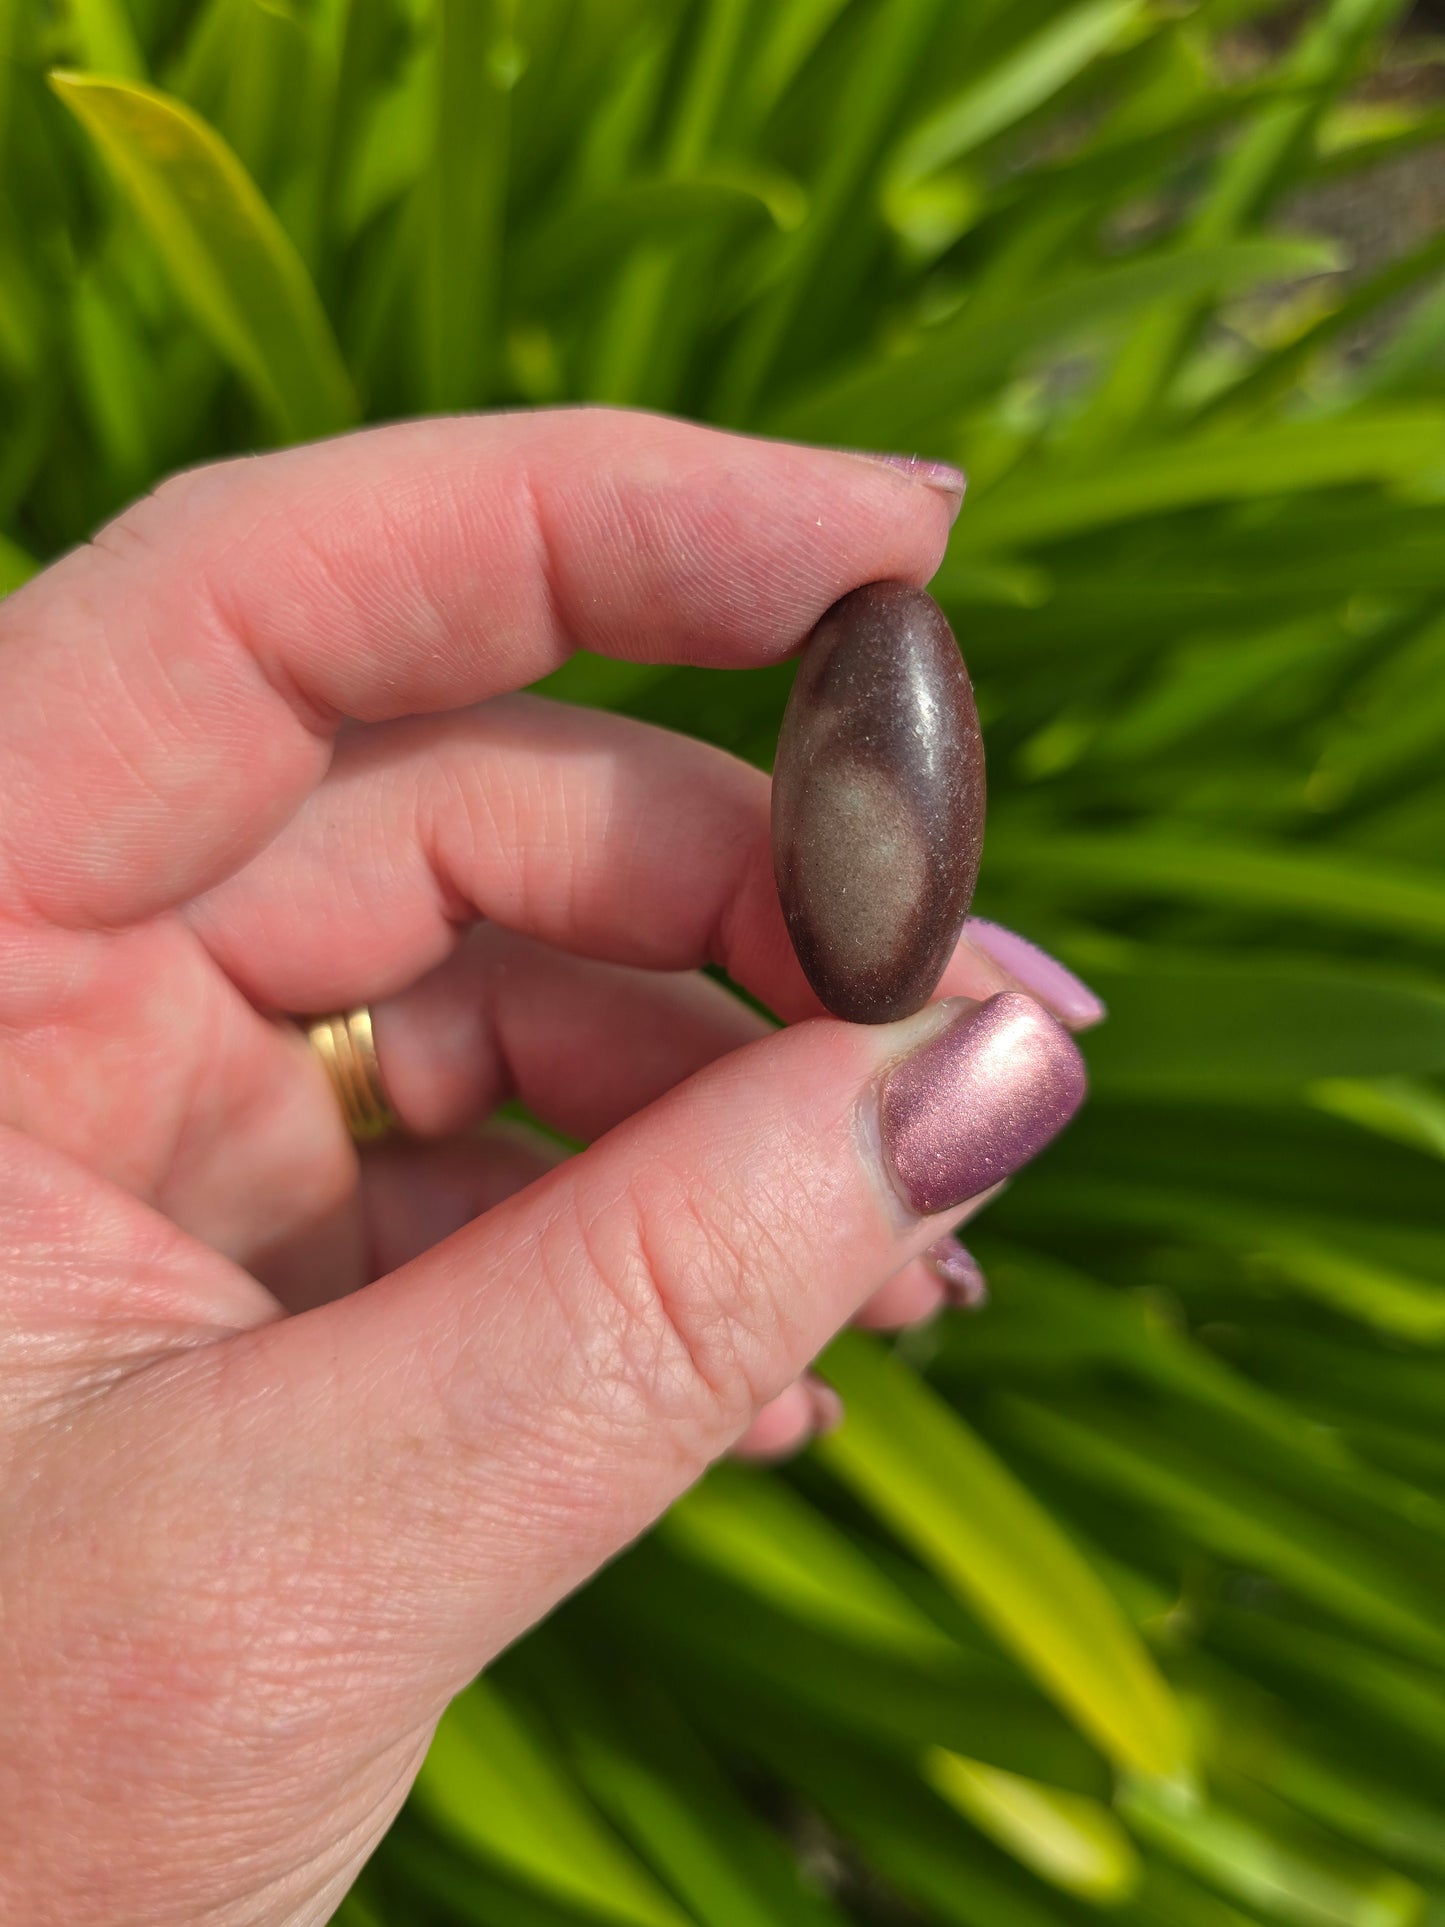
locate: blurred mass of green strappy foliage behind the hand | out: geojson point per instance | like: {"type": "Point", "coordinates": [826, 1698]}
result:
{"type": "Point", "coordinates": [1122, 1598]}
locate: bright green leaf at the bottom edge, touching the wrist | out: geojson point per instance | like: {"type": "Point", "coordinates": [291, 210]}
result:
{"type": "Point", "coordinates": [492, 1785]}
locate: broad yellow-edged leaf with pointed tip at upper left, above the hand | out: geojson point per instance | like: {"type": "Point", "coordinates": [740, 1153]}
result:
{"type": "Point", "coordinates": [226, 253]}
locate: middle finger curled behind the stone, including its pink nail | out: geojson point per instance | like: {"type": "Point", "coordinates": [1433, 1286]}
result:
{"type": "Point", "coordinates": [591, 832]}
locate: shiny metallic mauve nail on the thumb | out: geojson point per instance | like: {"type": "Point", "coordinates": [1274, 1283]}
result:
{"type": "Point", "coordinates": [978, 1101]}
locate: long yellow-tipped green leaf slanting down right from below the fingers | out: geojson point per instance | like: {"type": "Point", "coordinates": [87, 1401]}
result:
{"type": "Point", "coordinates": [922, 1469]}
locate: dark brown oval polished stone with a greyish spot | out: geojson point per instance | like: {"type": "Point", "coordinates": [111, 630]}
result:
{"type": "Point", "coordinates": [878, 803]}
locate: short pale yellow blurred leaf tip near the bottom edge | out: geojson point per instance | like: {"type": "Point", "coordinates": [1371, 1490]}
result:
{"type": "Point", "coordinates": [1066, 1839]}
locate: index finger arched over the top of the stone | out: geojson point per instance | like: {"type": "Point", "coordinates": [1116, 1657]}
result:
{"type": "Point", "coordinates": [171, 693]}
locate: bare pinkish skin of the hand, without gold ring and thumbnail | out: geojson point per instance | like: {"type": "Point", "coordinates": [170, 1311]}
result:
{"type": "Point", "coordinates": [296, 1440]}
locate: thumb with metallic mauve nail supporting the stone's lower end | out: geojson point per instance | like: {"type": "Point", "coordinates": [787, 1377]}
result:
{"type": "Point", "coordinates": [500, 1417]}
